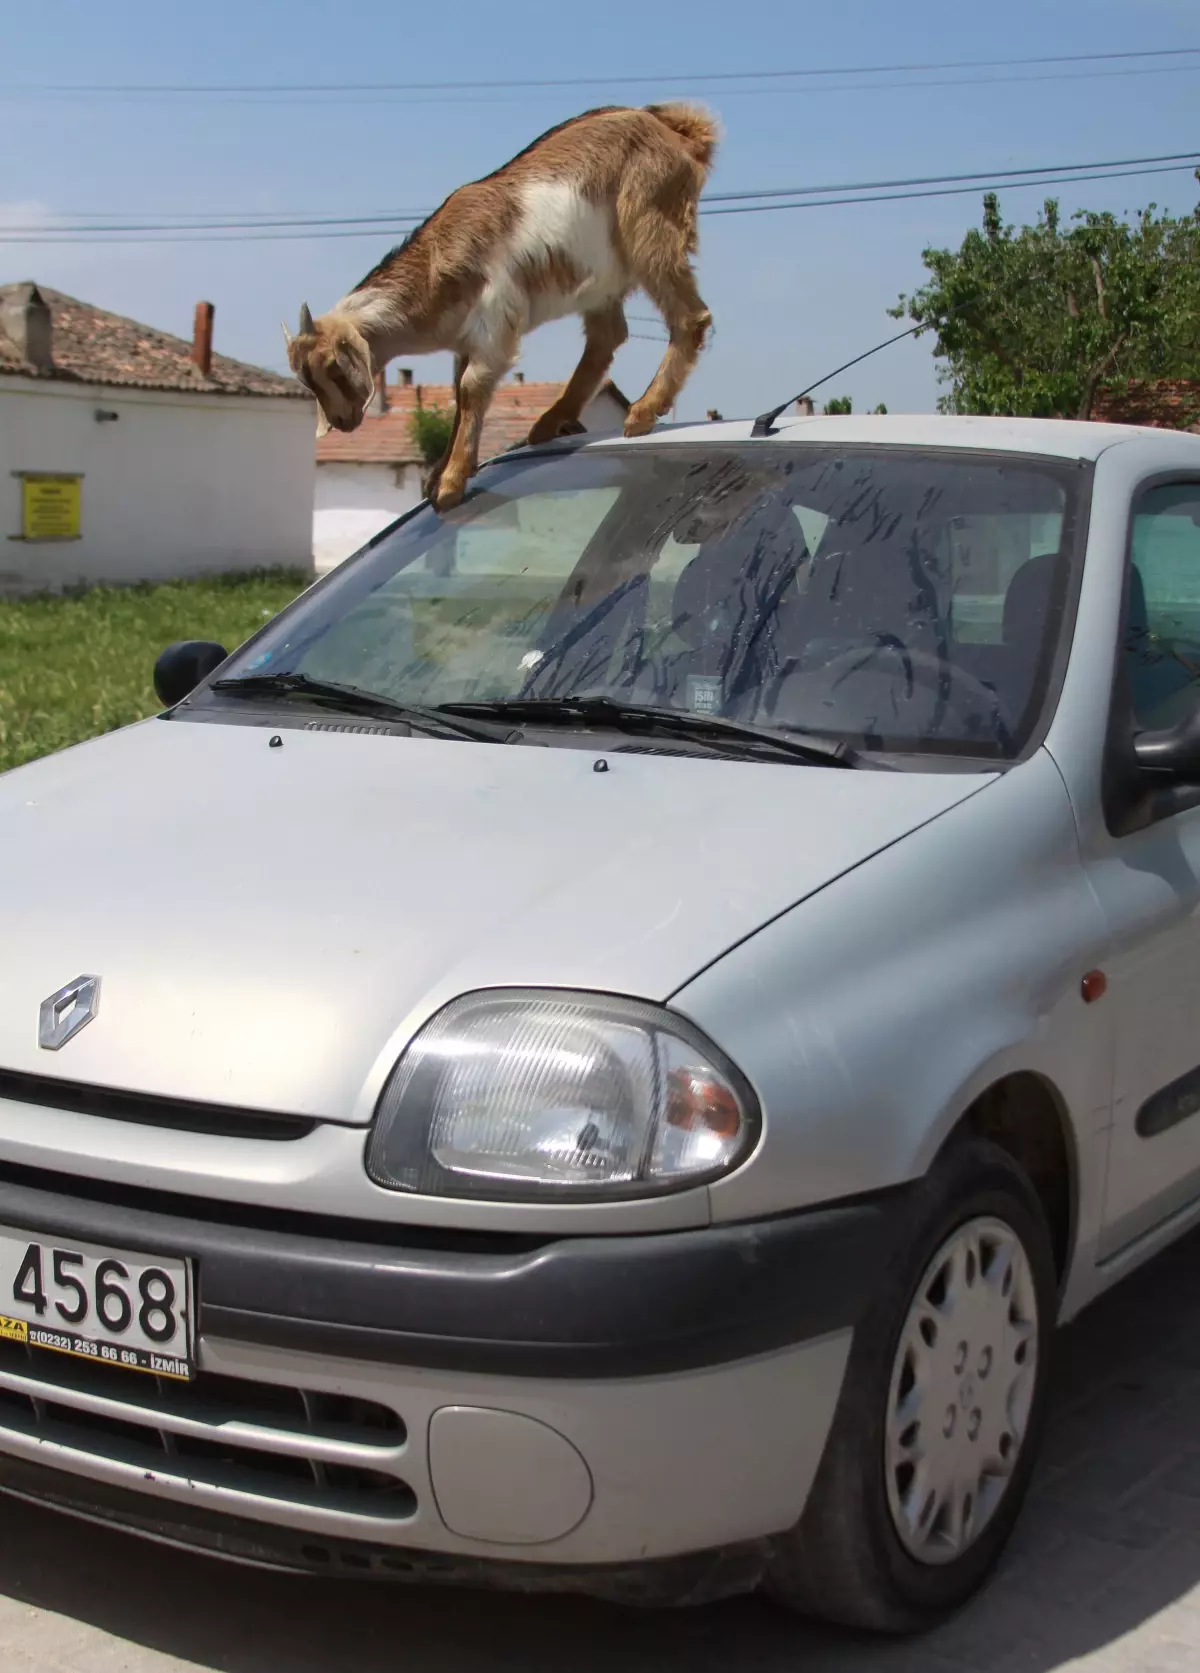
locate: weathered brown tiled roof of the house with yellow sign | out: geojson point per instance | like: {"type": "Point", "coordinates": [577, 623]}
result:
{"type": "Point", "coordinates": [91, 345]}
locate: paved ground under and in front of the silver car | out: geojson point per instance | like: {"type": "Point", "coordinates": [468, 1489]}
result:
{"type": "Point", "coordinates": [1102, 1578]}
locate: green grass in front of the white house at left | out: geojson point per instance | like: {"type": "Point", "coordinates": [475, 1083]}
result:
{"type": "Point", "coordinates": [83, 665]}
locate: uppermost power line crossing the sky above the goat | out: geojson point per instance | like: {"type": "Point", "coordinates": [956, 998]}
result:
{"type": "Point", "coordinates": [207, 90]}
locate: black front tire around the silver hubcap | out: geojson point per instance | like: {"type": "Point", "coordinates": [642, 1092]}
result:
{"type": "Point", "coordinates": [846, 1562]}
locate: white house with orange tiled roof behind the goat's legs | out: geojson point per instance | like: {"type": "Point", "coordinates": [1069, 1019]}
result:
{"type": "Point", "coordinates": [369, 478]}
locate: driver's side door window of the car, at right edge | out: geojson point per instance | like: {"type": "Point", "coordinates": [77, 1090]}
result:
{"type": "Point", "coordinates": [1162, 637]}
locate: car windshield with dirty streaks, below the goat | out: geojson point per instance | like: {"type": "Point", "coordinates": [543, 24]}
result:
{"type": "Point", "coordinates": [896, 600]}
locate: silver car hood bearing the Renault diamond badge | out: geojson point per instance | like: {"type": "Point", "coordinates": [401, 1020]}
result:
{"type": "Point", "coordinates": [272, 924]}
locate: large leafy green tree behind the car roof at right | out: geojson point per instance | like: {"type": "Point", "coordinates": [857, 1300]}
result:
{"type": "Point", "coordinates": [1033, 322]}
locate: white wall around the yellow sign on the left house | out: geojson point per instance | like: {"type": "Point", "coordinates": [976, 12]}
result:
{"type": "Point", "coordinates": [178, 486]}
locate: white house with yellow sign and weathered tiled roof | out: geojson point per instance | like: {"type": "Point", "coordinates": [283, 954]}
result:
{"type": "Point", "coordinates": [128, 454]}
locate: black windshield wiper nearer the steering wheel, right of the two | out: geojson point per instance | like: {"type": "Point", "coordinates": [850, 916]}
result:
{"type": "Point", "coordinates": [679, 724]}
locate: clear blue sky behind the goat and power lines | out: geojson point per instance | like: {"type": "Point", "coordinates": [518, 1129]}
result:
{"type": "Point", "coordinates": [794, 294]}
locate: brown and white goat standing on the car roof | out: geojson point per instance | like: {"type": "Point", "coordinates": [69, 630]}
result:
{"type": "Point", "coordinates": [595, 210]}
